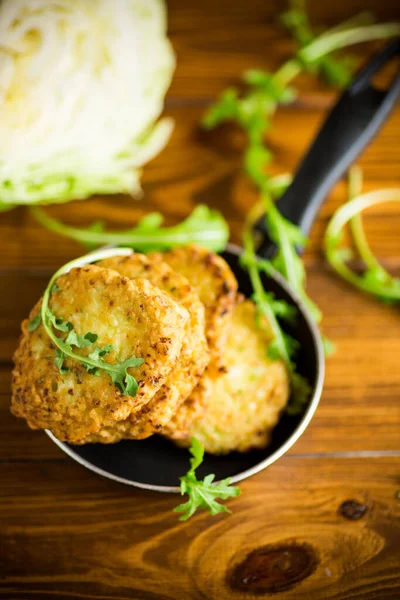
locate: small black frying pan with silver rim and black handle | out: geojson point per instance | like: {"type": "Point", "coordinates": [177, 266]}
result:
{"type": "Point", "coordinates": [155, 463]}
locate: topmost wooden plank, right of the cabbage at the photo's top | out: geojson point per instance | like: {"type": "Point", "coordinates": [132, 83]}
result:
{"type": "Point", "coordinates": [216, 42]}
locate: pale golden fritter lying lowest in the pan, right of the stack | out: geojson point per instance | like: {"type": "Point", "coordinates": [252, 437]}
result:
{"type": "Point", "coordinates": [246, 402]}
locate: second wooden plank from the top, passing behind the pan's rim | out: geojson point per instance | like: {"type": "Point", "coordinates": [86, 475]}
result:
{"type": "Point", "coordinates": [173, 185]}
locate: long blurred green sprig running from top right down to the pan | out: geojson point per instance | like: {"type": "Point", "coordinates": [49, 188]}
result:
{"type": "Point", "coordinates": [253, 112]}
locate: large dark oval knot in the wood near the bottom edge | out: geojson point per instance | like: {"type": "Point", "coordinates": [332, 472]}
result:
{"type": "Point", "coordinates": [274, 568]}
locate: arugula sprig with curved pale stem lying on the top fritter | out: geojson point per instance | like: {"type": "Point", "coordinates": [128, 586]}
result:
{"type": "Point", "coordinates": [94, 363]}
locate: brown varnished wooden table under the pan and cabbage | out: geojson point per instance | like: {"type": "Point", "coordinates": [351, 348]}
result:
{"type": "Point", "coordinates": [321, 522]}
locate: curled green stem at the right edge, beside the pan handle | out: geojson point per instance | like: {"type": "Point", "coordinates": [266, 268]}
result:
{"type": "Point", "coordinates": [374, 279]}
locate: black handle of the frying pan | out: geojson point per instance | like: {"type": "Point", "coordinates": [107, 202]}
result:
{"type": "Point", "coordinates": [352, 123]}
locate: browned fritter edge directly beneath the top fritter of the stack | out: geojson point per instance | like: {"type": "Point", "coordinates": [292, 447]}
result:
{"type": "Point", "coordinates": [193, 358]}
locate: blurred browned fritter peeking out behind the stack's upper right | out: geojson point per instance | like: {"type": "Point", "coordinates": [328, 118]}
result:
{"type": "Point", "coordinates": [216, 286]}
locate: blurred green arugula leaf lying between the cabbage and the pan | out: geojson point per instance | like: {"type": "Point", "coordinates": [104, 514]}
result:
{"type": "Point", "coordinates": [204, 226]}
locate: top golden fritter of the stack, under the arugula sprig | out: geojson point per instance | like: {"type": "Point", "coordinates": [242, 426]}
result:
{"type": "Point", "coordinates": [134, 316]}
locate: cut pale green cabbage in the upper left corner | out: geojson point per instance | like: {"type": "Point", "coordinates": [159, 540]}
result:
{"type": "Point", "coordinates": [82, 84]}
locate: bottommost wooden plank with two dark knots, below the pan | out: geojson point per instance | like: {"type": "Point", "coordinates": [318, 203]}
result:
{"type": "Point", "coordinates": [290, 533]}
